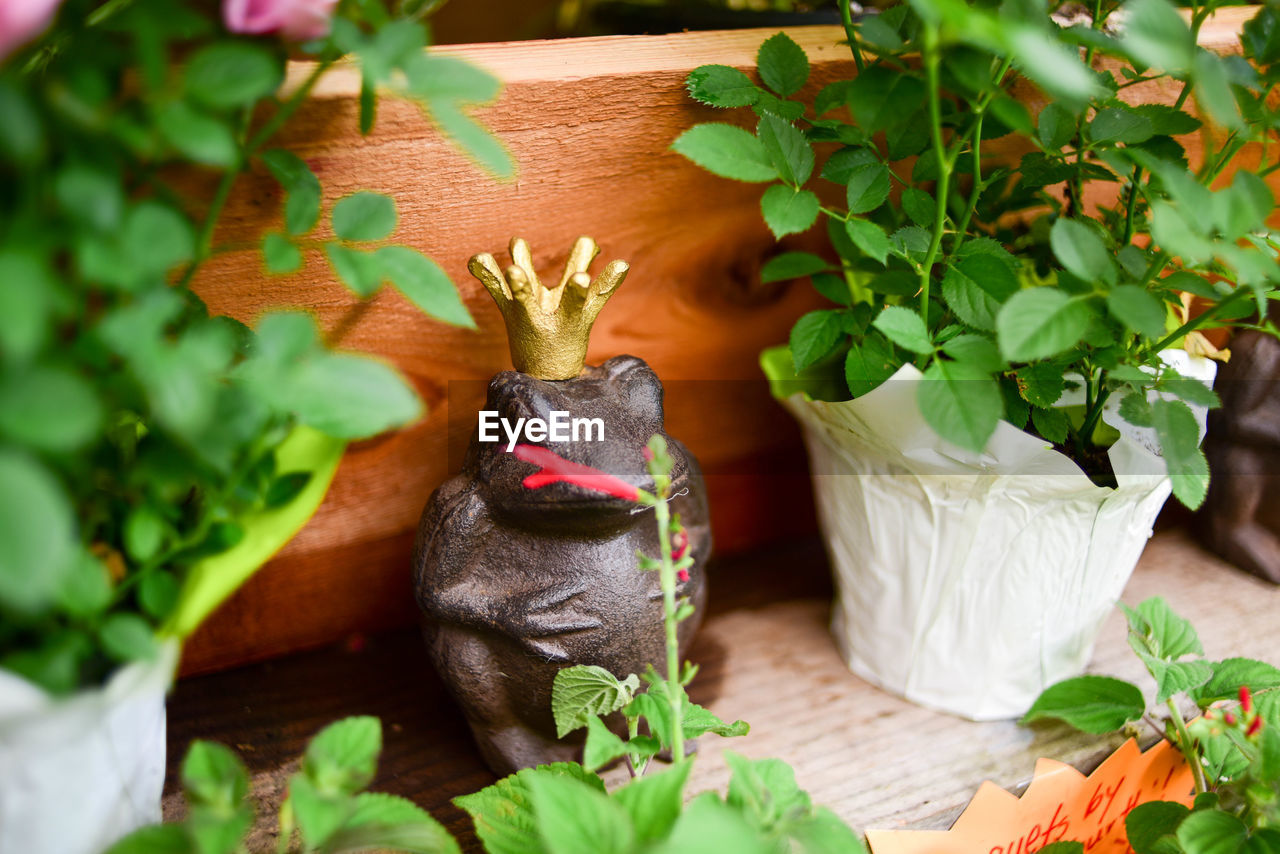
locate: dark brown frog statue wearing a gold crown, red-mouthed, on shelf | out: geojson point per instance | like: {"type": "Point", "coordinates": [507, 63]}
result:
{"type": "Point", "coordinates": [516, 584]}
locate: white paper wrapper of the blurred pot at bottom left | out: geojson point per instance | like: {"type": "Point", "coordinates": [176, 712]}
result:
{"type": "Point", "coordinates": [79, 773]}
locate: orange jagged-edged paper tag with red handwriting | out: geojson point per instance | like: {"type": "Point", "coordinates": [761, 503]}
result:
{"type": "Point", "coordinates": [1060, 805]}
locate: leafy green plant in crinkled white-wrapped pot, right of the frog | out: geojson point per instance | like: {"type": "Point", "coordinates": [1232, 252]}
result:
{"type": "Point", "coordinates": [1008, 383]}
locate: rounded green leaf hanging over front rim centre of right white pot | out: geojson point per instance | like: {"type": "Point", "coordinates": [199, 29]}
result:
{"type": "Point", "coordinates": [962, 403]}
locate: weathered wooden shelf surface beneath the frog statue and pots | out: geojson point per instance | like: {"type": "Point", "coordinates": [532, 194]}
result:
{"type": "Point", "coordinates": [766, 657]}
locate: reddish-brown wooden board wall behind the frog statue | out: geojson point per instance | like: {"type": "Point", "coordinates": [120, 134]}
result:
{"type": "Point", "coordinates": [591, 124]}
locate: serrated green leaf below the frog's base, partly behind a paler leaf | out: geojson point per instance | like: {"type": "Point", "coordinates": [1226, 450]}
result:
{"type": "Point", "coordinates": [504, 815]}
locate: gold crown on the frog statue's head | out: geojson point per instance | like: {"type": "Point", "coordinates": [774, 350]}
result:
{"type": "Point", "coordinates": [548, 328]}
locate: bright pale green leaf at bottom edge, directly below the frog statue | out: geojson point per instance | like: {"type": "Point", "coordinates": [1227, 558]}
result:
{"type": "Point", "coordinates": [575, 819]}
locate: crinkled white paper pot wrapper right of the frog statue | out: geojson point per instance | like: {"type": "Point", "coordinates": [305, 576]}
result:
{"type": "Point", "coordinates": [970, 583]}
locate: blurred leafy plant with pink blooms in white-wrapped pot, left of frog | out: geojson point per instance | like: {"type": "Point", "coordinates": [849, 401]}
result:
{"type": "Point", "coordinates": [152, 456]}
